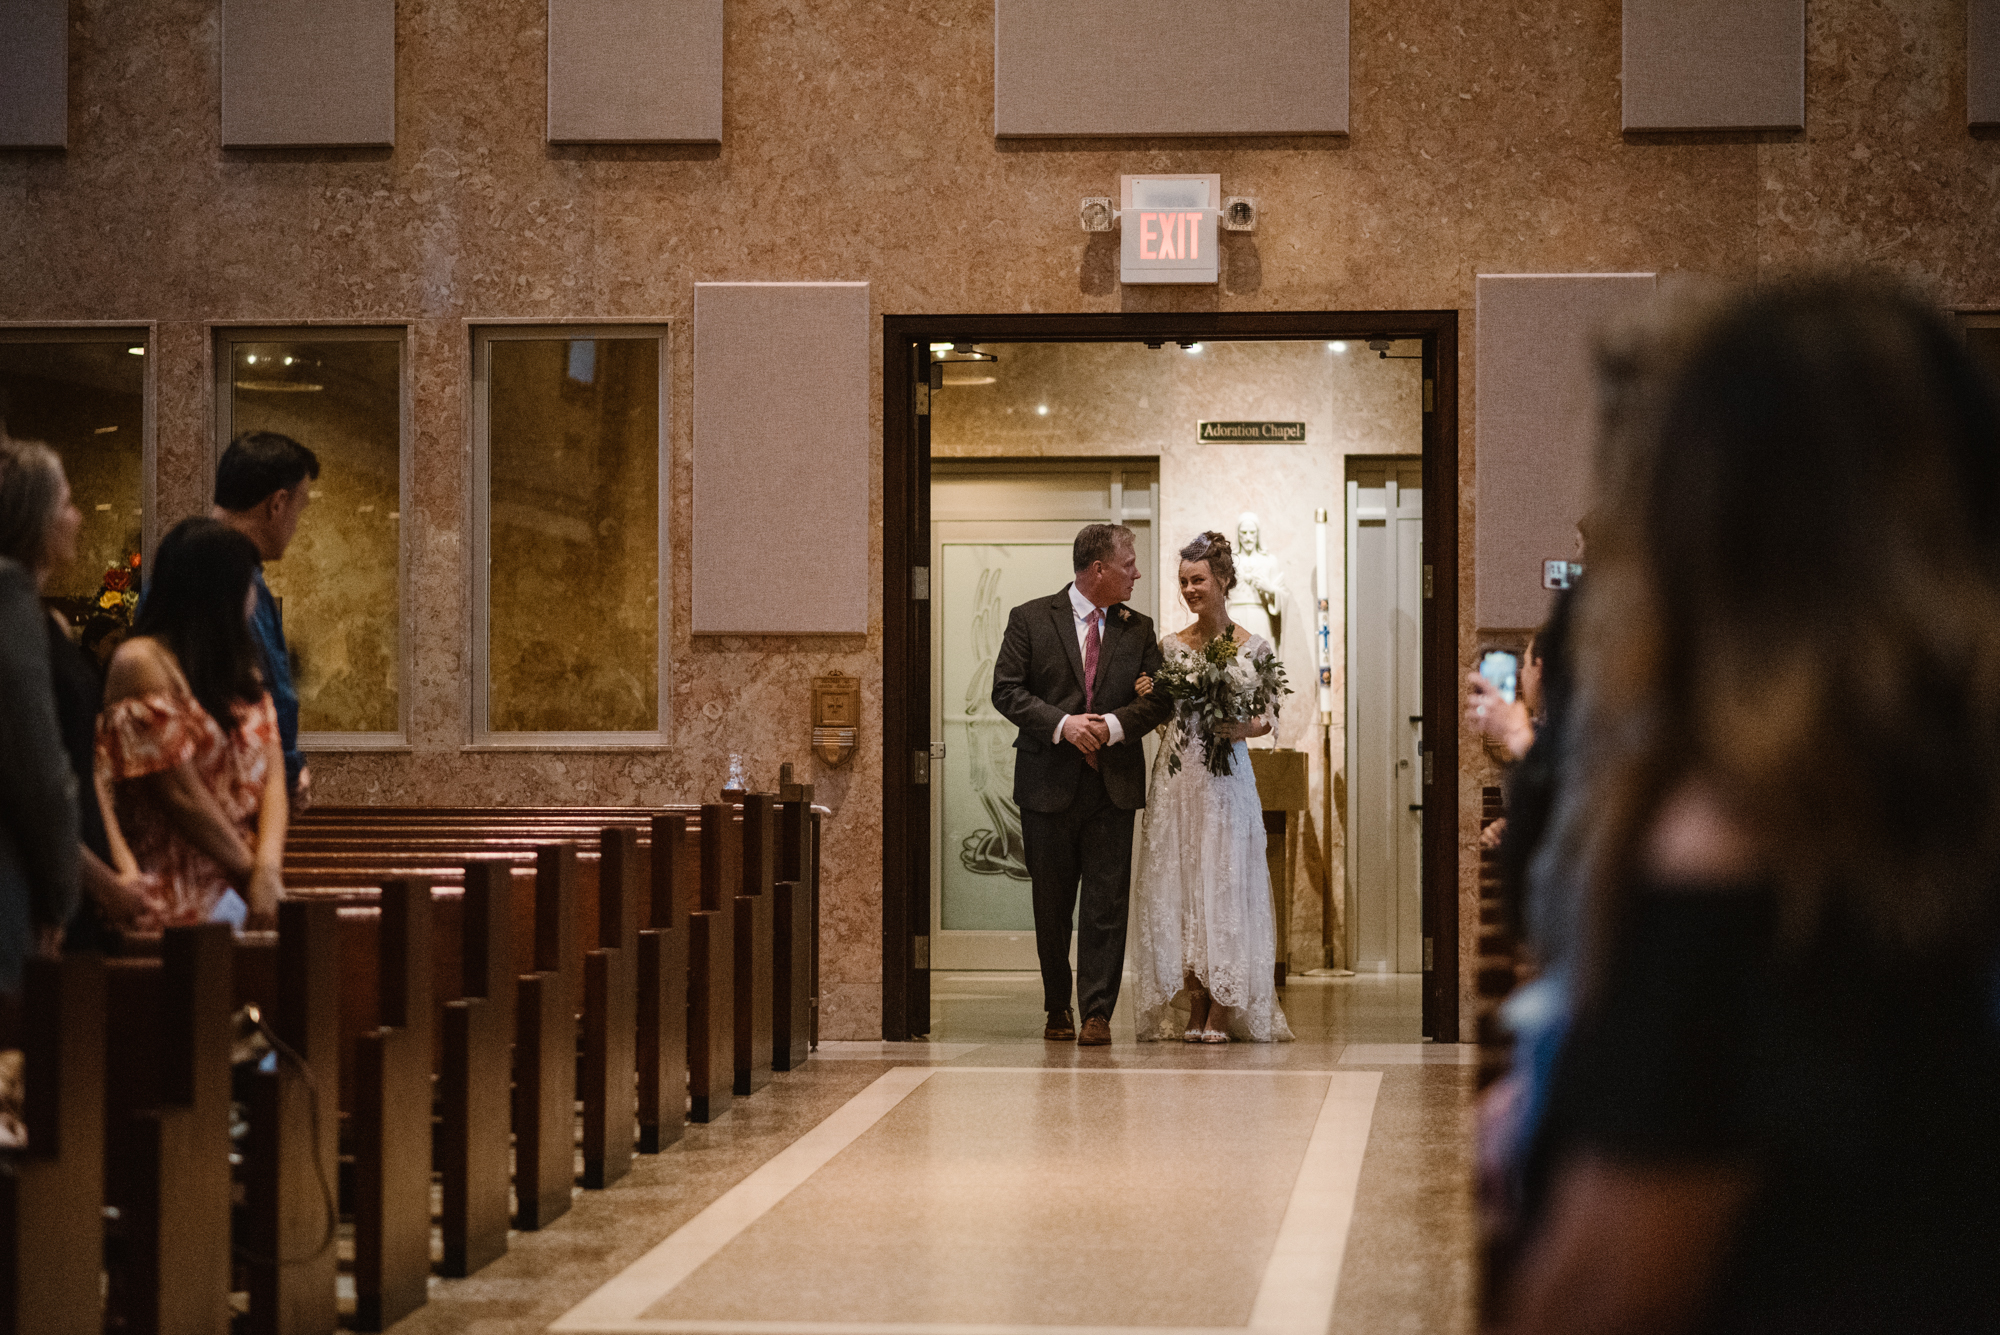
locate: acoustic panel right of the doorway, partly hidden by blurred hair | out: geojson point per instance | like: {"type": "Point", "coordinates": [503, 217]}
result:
{"type": "Point", "coordinates": [1535, 429]}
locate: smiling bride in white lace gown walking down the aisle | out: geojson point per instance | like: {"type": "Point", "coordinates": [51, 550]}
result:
{"type": "Point", "coordinates": [1205, 928]}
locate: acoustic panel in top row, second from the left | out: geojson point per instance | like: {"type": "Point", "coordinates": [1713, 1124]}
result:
{"type": "Point", "coordinates": [309, 73]}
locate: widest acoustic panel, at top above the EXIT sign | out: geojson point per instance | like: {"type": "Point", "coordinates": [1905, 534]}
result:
{"type": "Point", "coordinates": [1193, 67]}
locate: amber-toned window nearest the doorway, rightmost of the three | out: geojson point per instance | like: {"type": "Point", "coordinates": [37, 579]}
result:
{"type": "Point", "coordinates": [569, 457]}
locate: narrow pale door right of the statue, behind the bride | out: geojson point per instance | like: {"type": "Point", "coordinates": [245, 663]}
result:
{"type": "Point", "coordinates": [1385, 716]}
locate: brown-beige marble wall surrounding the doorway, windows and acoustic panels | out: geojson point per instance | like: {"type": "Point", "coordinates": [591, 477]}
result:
{"type": "Point", "coordinates": [859, 145]}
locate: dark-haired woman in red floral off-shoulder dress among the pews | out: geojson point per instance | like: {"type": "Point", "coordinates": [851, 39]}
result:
{"type": "Point", "coordinates": [189, 738]}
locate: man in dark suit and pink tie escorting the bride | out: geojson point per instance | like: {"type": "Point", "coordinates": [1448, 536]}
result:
{"type": "Point", "coordinates": [1065, 676]}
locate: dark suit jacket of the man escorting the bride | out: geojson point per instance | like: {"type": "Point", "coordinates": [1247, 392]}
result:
{"type": "Point", "coordinates": [1039, 676]}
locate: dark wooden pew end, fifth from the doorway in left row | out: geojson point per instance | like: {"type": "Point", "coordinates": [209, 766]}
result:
{"type": "Point", "coordinates": [611, 1010]}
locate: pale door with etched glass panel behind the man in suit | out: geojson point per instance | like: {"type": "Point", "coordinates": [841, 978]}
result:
{"type": "Point", "coordinates": [1001, 537]}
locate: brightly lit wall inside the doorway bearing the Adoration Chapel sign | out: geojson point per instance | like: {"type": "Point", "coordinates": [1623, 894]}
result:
{"type": "Point", "coordinates": [1051, 401]}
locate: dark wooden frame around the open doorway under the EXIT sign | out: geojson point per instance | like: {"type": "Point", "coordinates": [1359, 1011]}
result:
{"type": "Point", "coordinates": [907, 607]}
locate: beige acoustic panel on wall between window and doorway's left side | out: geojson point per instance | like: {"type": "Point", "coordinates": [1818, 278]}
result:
{"type": "Point", "coordinates": [781, 459]}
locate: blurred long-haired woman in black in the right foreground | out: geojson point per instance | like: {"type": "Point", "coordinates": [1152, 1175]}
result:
{"type": "Point", "coordinates": [1777, 1104]}
